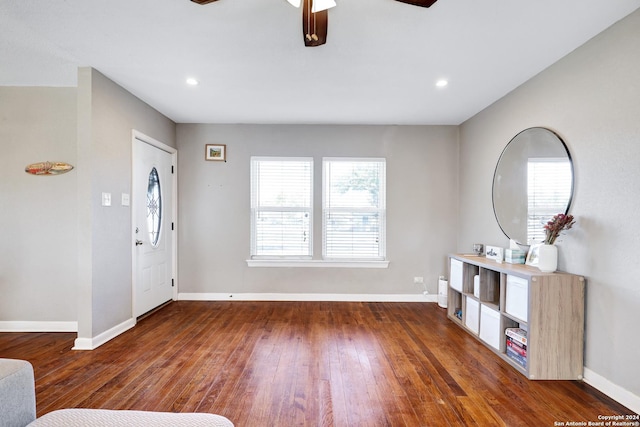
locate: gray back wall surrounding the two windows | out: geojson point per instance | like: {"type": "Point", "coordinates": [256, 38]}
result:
{"type": "Point", "coordinates": [214, 206]}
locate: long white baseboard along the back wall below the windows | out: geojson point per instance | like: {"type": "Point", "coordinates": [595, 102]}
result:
{"type": "Point", "coordinates": [231, 296]}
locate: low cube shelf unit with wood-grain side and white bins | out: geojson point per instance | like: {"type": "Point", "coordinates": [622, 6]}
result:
{"type": "Point", "coordinates": [550, 306]}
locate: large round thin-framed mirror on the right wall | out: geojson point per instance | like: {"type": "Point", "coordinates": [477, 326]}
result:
{"type": "Point", "coordinates": [533, 181]}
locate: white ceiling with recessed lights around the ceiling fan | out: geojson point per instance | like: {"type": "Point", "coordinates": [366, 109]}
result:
{"type": "Point", "coordinates": [379, 65]}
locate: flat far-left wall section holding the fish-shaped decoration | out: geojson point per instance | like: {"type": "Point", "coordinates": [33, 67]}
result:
{"type": "Point", "coordinates": [37, 213]}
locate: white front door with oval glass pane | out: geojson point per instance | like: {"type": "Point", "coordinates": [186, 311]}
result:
{"type": "Point", "coordinates": [152, 211]}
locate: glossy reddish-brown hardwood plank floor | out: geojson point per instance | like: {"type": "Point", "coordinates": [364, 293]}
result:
{"type": "Point", "coordinates": [302, 363]}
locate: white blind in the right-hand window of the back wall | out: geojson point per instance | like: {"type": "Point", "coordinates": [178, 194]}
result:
{"type": "Point", "coordinates": [354, 210]}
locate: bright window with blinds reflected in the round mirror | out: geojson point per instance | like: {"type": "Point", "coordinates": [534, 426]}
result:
{"type": "Point", "coordinates": [549, 189]}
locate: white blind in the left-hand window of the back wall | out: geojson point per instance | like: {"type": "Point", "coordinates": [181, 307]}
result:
{"type": "Point", "coordinates": [281, 207]}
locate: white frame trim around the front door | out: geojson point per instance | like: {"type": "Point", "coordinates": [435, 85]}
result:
{"type": "Point", "coordinates": [136, 135]}
